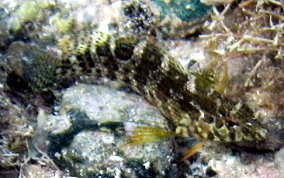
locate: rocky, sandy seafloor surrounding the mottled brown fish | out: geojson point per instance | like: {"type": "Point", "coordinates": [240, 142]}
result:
{"type": "Point", "coordinates": [82, 130]}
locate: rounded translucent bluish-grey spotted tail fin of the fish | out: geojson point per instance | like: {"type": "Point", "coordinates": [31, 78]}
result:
{"type": "Point", "coordinates": [34, 66]}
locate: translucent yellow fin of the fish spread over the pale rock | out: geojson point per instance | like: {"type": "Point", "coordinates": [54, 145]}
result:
{"type": "Point", "coordinates": [147, 134]}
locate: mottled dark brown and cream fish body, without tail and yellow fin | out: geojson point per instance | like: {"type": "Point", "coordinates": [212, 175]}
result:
{"type": "Point", "coordinates": [148, 70]}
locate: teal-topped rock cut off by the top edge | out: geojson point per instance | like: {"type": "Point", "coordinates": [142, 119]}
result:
{"type": "Point", "coordinates": [180, 18]}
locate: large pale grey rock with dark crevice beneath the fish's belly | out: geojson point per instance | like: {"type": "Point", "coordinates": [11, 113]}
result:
{"type": "Point", "coordinates": [95, 139]}
